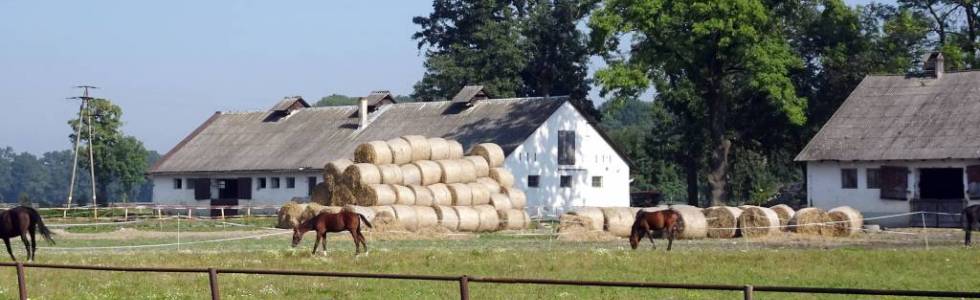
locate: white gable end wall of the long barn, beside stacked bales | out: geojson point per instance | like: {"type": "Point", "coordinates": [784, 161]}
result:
{"type": "Point", "coordinates": [538, 155]}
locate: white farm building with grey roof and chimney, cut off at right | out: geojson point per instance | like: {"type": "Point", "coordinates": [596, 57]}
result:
{"type": "Point", "coordinates": [900, 144]}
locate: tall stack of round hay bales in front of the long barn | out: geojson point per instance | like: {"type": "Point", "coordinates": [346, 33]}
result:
{"type": "Point", "coordinates": [429, 182]}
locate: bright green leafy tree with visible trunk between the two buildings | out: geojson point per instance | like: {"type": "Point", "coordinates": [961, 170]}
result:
{"type": "Point", "coordinates": [726, 50]}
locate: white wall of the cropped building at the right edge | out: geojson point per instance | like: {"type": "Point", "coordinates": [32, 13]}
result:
{"type": "Point", "coordinates": [824, 187]}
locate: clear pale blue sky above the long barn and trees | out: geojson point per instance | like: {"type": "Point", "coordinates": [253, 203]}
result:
{"type": "Point", "coordinates": [171, 64]}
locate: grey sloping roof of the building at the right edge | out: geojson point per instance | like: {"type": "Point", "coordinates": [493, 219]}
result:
{"type": "Point", "coordinates": [903, 118]}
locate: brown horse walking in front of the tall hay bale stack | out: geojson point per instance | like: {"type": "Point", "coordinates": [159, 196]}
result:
{"type": "Point", "coordinates": [333, 222]}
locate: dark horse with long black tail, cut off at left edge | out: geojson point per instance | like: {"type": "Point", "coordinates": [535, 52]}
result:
{"type": "Point", "coordinates": [22, 221]}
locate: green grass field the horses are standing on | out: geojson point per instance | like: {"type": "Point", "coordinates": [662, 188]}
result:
{"type": "Point", "coordinates": [883, 262]}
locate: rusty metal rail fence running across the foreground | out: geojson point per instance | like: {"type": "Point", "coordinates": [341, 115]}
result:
{"type": "Point", "coordinates": [465, 280]}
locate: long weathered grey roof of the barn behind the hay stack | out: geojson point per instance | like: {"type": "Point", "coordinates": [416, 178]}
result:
{"type": "Point", "coordinates": [309, 138]}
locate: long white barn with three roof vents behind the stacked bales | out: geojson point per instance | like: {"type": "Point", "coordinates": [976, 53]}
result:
{"type": "Point", "coordinates": [559, 157]}
